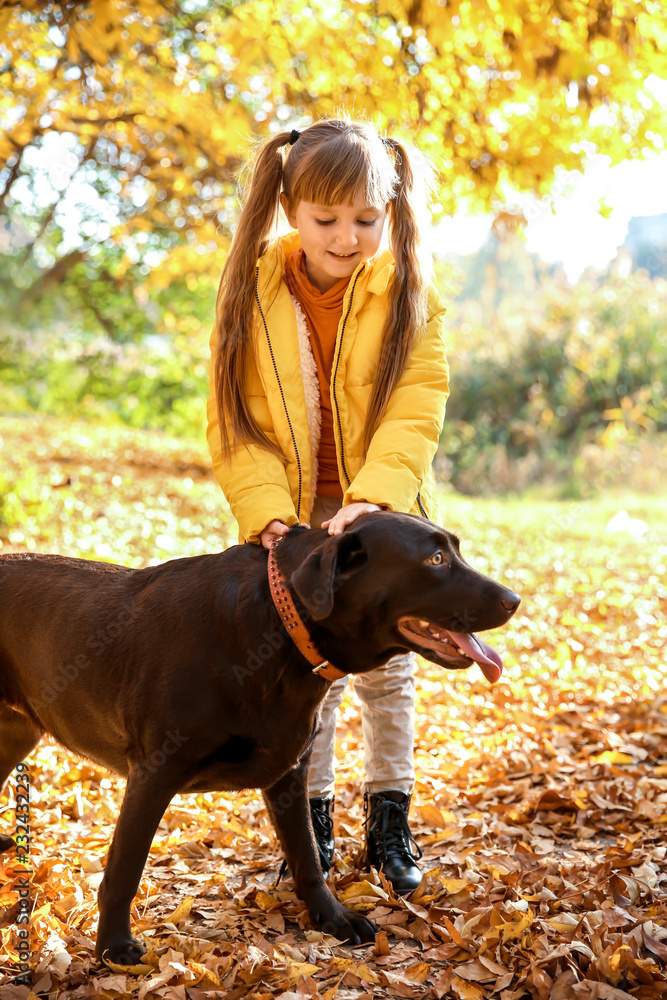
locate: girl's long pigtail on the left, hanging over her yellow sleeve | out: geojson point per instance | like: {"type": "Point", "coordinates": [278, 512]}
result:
{"type": "Point", "coordinates": [236, 299]}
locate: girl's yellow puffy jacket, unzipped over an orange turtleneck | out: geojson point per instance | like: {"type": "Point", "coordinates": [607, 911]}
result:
{"type": "Point", "coordinates": [284, 399]}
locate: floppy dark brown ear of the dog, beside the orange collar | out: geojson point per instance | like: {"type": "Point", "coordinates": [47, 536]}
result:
{"type": "Point", "coordinates": [325, 569]}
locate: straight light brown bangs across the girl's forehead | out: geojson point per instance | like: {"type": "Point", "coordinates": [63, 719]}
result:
{"type": "Point", "coordinates": [334, 172]}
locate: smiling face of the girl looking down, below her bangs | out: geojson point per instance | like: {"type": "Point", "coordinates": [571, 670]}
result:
{"type": "Point", "coordinates": [336, 238]}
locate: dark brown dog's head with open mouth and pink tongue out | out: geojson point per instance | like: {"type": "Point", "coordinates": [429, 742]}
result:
{"type": "Point", "coordinates": [397, 581]}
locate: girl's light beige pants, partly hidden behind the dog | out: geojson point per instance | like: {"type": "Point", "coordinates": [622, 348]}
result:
{"type": "Point", "coordinates": [387, 697]}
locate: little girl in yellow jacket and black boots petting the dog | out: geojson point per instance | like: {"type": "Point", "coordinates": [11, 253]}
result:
{"type": "Point", "coordinates": [328, 389]}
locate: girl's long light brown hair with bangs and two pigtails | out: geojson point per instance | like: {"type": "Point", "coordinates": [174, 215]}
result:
{"type": "Point", "coordinates": [329, 164]}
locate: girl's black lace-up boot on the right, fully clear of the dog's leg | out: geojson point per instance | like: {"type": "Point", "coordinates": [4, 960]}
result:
{"type": "Point", "coordinates": [388, 839]}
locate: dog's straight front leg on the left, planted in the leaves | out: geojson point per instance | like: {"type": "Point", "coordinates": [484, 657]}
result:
{"type": "Point", "coordinates": [147, 795]}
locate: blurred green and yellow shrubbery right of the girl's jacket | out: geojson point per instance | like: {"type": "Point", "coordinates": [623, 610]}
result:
{"type": "Point", "coordinates": [580, 366]}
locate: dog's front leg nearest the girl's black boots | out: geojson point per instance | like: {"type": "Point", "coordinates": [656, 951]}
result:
{"type": "Point", "coordinates": [287, 802]}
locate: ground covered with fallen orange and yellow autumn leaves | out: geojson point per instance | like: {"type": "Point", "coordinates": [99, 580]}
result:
{"type": "Point", "coordinates": [540, 803]}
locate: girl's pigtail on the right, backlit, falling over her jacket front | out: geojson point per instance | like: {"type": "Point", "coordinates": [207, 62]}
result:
{"type": "Point", "coordinates": [409, 291]}
